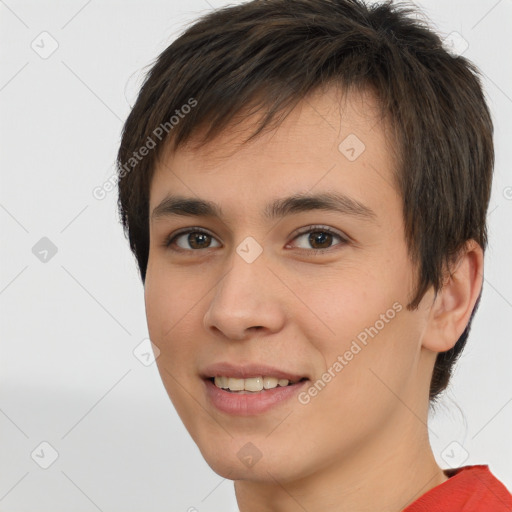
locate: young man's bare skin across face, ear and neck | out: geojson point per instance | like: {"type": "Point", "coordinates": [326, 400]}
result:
{"type": "Point", "coordinates": [362, 442]}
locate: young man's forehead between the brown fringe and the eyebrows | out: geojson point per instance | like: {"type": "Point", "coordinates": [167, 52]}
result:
{"type": "Point", "coordinates": [329, 142]}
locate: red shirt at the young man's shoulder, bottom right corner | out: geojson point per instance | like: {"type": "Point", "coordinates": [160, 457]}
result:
{"type": "Point", "coordinates": [468, 489]}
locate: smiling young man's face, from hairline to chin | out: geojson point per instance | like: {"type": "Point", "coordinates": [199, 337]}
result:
{"type": "Point", "coordinates": [267, 288]}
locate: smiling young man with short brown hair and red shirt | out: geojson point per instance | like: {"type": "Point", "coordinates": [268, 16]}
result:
{"type": "Point", "coordinates": [305, 186]}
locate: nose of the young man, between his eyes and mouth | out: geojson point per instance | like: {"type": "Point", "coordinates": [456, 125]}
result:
{"type": "Point", "coordinates": [246, 300]}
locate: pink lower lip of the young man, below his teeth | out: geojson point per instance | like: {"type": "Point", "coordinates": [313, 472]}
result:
{"type": "Point", "coordinates": [247, 404]}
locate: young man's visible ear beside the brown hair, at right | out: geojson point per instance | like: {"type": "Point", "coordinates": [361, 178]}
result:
{"type": "Point", "coordinates": [454, 303]}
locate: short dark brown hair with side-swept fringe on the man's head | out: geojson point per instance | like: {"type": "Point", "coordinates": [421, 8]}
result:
{"type": "Point", "coordinates": [270, 54]}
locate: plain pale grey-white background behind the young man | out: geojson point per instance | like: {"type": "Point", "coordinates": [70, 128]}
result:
{"type": "Point", "coordinates": [70, 324]}
